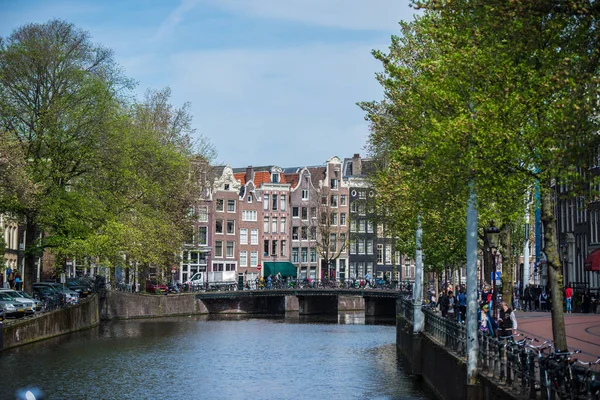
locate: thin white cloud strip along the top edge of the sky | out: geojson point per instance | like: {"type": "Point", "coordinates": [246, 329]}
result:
{"type": "Point", "coordinates": [349, 14]}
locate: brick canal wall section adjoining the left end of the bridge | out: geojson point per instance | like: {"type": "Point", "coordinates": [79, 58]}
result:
{"type": "Point", "coordinates": [123, 305]}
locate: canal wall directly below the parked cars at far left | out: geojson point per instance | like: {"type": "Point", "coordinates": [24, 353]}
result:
{"type": "Point", "coordinates": [82, 316]}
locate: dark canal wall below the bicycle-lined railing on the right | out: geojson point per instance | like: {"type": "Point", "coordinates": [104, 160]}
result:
{"type": "Point", "coordinates": [444, 372]}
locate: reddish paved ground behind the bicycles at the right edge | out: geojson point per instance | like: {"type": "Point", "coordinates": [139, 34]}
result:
{"type": "Point", "coordinates": [583, 331]}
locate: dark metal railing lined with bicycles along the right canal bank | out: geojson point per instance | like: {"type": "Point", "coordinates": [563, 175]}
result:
{"type": "Point", "coordinates": [523, 369]}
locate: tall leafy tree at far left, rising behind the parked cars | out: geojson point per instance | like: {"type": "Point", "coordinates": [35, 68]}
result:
{"type": "Point", "coordinates": [58, 95]}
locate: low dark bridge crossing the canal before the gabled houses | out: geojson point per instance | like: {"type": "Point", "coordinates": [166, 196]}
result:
{"type": "Point", "coordinates": [373, 302]}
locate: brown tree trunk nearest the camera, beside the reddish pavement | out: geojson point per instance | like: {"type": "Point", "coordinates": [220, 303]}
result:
{"type": "Point", "coordinates": [554, 271]}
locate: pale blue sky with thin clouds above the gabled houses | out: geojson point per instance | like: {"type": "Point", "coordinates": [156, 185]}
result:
{"type": "Point", "coordinates": [270, 82]}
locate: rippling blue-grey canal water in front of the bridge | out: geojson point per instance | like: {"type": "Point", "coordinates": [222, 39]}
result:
{"type": "Point", "coordinates": [207, 358]}
